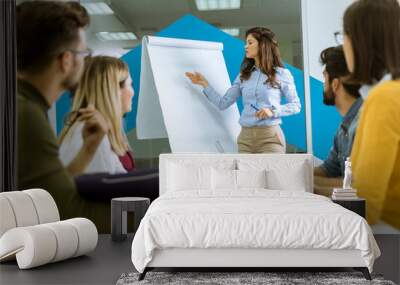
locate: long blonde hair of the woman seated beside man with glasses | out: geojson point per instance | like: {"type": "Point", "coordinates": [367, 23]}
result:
{"type": "Point", "coordinates": [102, 78]}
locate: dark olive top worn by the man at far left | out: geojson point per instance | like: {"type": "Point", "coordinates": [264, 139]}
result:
{"type": "Point", "coordinates": [39, 165]}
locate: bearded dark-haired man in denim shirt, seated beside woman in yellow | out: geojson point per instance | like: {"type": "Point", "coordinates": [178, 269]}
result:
{"type": "Point", "coordinates": [347, 100]}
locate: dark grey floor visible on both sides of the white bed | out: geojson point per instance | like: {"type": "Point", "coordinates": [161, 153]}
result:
{"type": "Point", "coordinates": [110, 259]}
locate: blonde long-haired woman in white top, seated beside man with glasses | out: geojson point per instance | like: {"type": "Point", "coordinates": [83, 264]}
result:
{"type": "Point", "coordinates": [106, 86]}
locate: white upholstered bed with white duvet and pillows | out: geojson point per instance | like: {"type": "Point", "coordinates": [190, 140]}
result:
{"type": "Point", "coordinates": [199, 190]}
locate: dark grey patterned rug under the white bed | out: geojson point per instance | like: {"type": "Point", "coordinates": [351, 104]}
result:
{"type": "Point", "coordinates": [242, 278]}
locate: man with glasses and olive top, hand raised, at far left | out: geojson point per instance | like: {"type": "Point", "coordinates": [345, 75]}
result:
{"type": "Point", "coordinates": [51, 49]}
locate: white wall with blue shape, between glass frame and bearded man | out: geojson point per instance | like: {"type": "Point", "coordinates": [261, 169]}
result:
{"type": "Point", "coordinates": [320, 20]}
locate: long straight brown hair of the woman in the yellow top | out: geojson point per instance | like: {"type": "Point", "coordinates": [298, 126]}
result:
{"type": "Point", "coordinates": [374, 30]}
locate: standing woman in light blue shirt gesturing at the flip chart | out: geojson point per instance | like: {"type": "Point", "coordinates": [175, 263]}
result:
{"type": "Point", "coordinates": [262, 82]}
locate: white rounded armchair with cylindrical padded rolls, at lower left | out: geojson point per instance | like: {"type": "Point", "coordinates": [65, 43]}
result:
{"type": "Point", "coordinates": [31, 231]}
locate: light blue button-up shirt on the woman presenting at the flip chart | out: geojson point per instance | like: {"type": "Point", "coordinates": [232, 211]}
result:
{"type": "Point", "coordinates": [255, 91]}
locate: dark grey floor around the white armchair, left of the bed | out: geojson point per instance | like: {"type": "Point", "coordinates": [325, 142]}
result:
{"type": "Point", "coordinates": [102, 266]}
